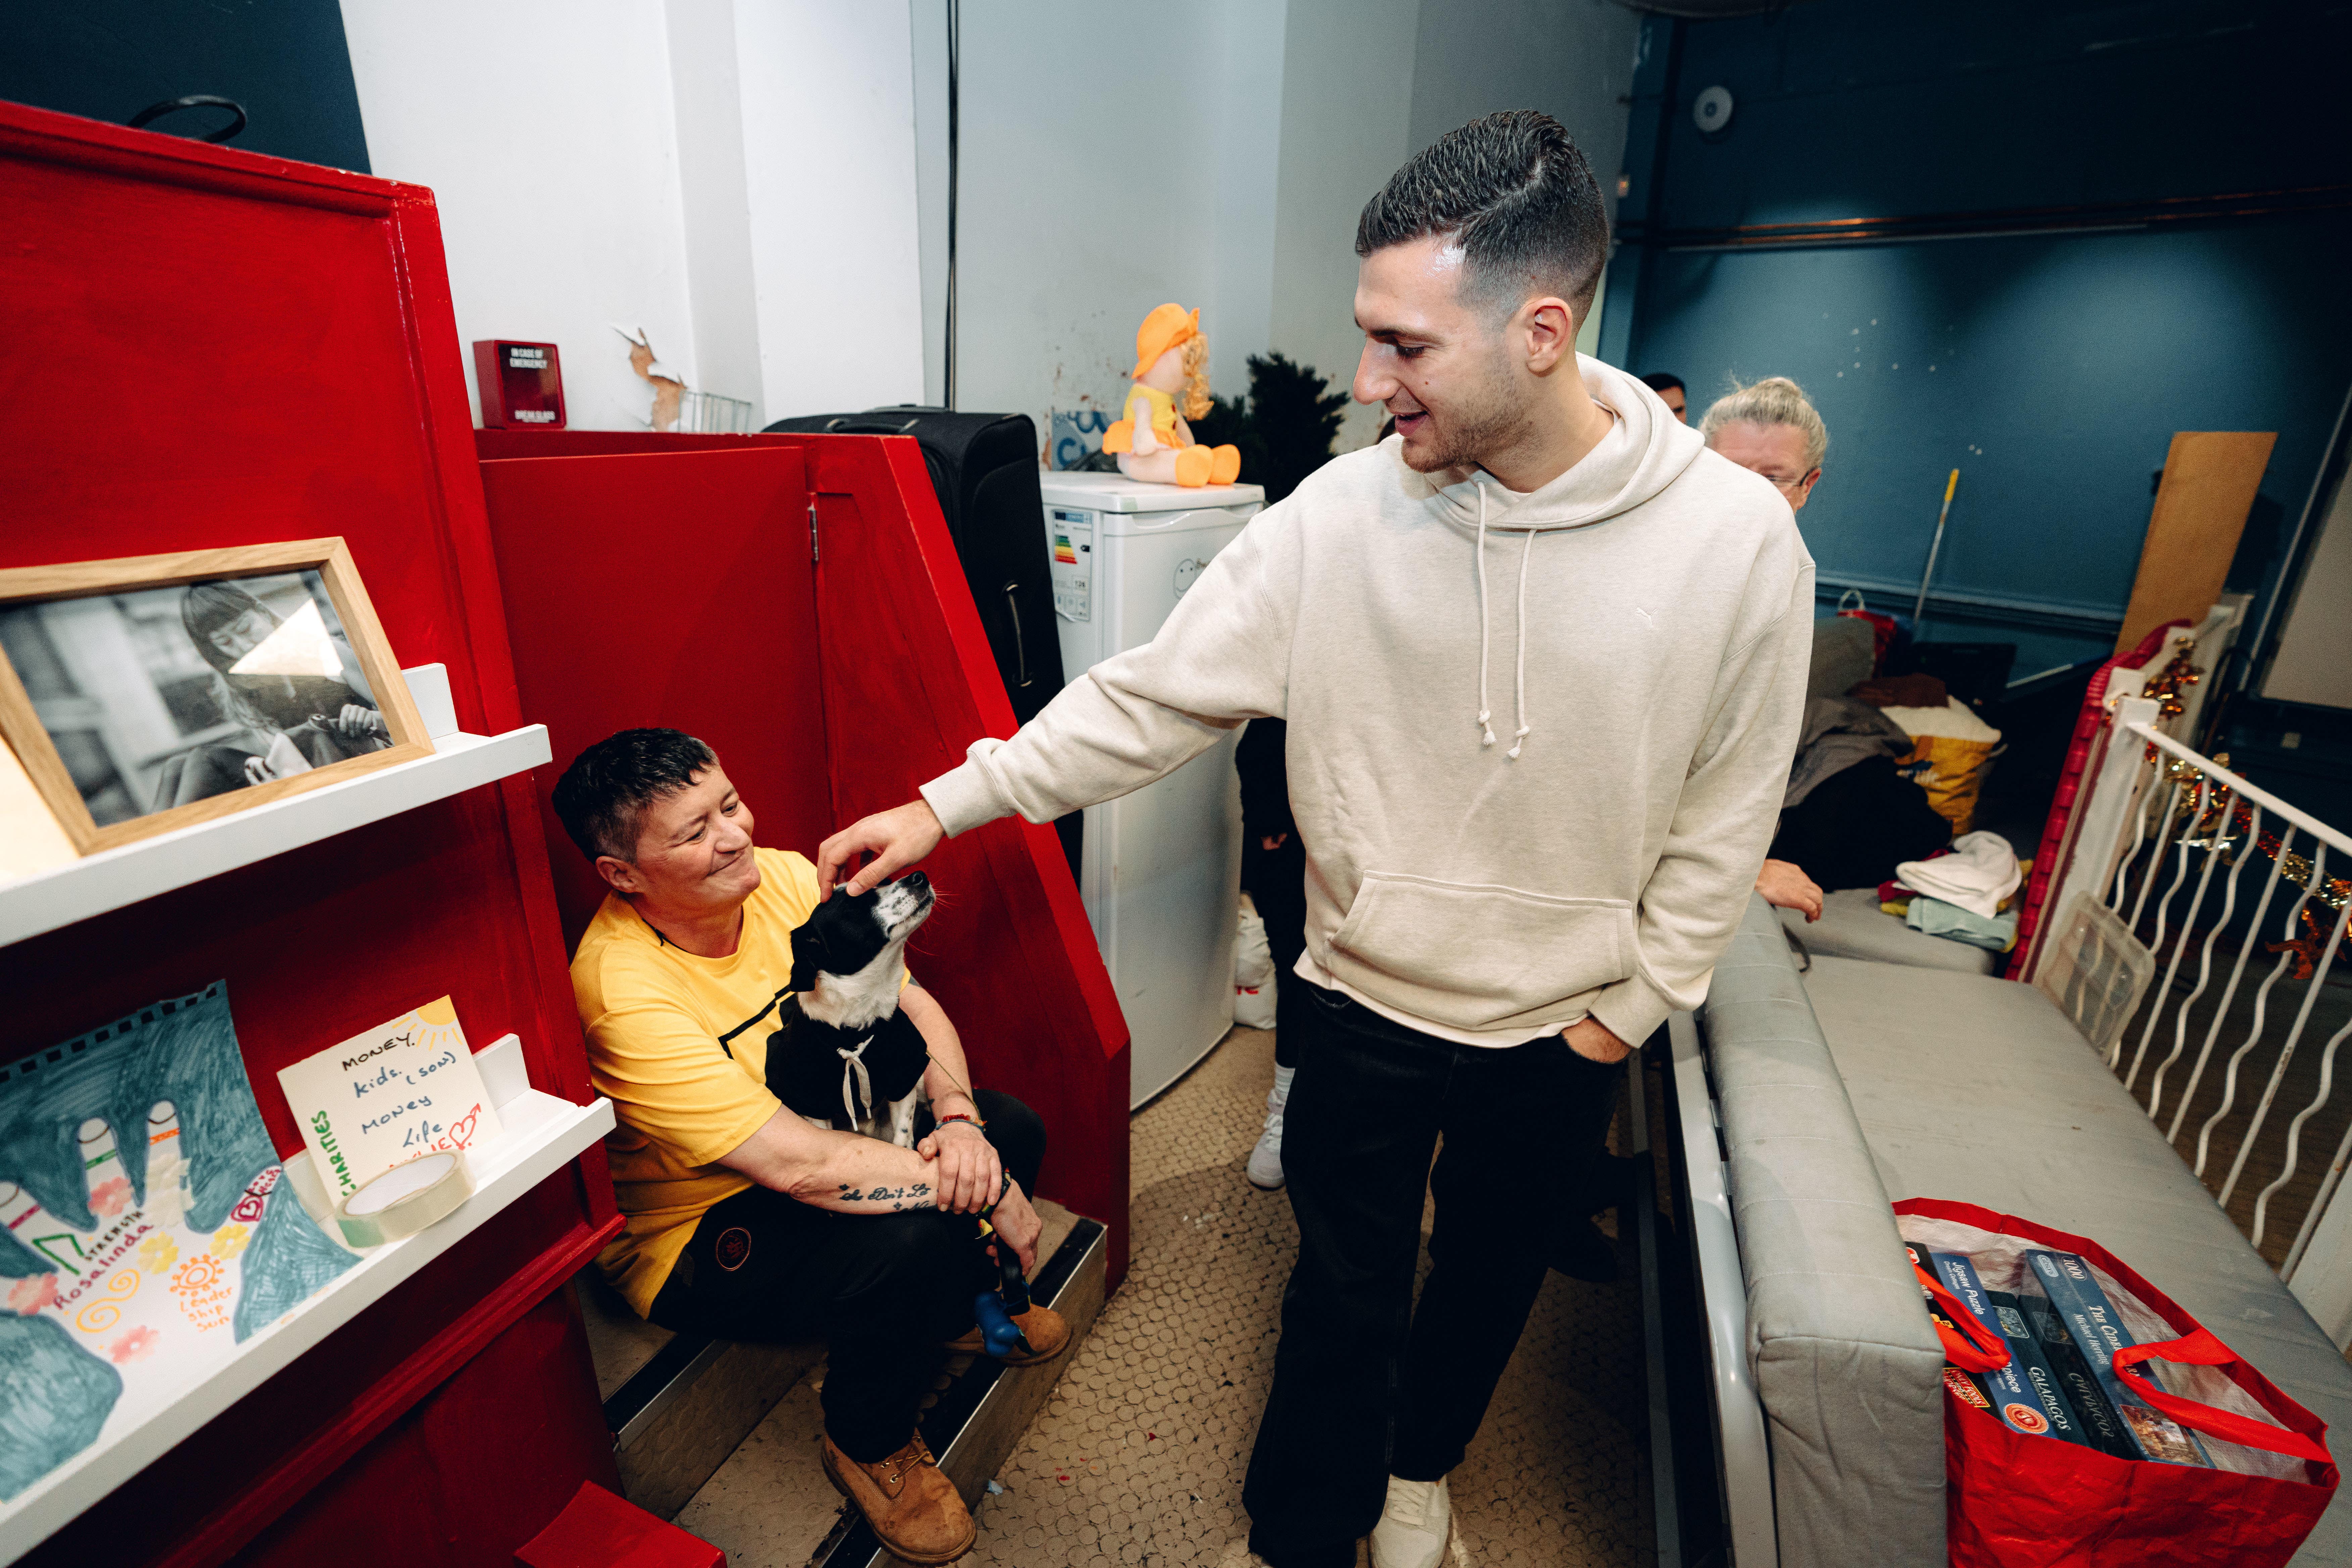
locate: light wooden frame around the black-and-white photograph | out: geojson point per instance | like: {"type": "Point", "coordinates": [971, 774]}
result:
{"type": "Point", "coordinates": [330, 561]}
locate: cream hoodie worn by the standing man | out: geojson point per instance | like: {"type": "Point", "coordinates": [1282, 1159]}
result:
{"type": "Point", "coordinates": [1537, 744]}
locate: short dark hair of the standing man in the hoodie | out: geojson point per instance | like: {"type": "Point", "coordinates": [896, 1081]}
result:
{"type": "Point", "coordinates": [1521, 201]}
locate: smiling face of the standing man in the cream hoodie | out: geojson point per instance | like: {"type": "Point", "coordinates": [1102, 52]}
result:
{"type": "Point", "coordinates": [1443, 366]}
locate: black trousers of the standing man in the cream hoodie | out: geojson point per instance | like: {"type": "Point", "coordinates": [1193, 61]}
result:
{"type": "Point", "coordinates": [1365, 1383]}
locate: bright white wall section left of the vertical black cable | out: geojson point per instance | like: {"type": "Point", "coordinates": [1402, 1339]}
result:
{"type": "Point", "coordinates": [733, 175]}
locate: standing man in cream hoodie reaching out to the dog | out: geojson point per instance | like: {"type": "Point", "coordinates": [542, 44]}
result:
{"type": "Point", "coordinates": [1542, 659]}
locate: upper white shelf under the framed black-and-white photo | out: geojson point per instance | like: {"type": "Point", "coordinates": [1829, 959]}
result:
{"type": "Point", "coordinates": [116, 878]}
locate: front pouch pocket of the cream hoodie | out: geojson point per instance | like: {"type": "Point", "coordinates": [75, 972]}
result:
{"type": "Point", "coordinates": [1474, 956]}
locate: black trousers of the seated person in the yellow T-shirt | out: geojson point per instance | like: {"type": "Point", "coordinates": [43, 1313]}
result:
{"type": "Point", "coordinates": [886, 1292]}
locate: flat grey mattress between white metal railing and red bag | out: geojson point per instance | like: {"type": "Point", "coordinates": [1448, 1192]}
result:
{"type": "Point", "coordinates": [1920, 1050]}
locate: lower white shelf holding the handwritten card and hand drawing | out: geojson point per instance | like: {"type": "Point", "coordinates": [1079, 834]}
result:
{"type": "Point", "coordinates": [540, 1139]}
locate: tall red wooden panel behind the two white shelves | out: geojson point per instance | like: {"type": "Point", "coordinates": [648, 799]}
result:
{"type": "Point", "coordinates": [213, 349]}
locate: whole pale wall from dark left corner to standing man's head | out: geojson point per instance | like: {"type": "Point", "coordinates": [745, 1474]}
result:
{"type": "Point", "coordinates": [763, 182]}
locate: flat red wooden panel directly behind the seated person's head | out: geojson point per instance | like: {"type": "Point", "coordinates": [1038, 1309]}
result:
{"type": "Point", "coordinates": [669, 591]}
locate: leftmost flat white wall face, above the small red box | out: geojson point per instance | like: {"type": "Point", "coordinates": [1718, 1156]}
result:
{"type": "Point", "coordinates": [547, 138]}
